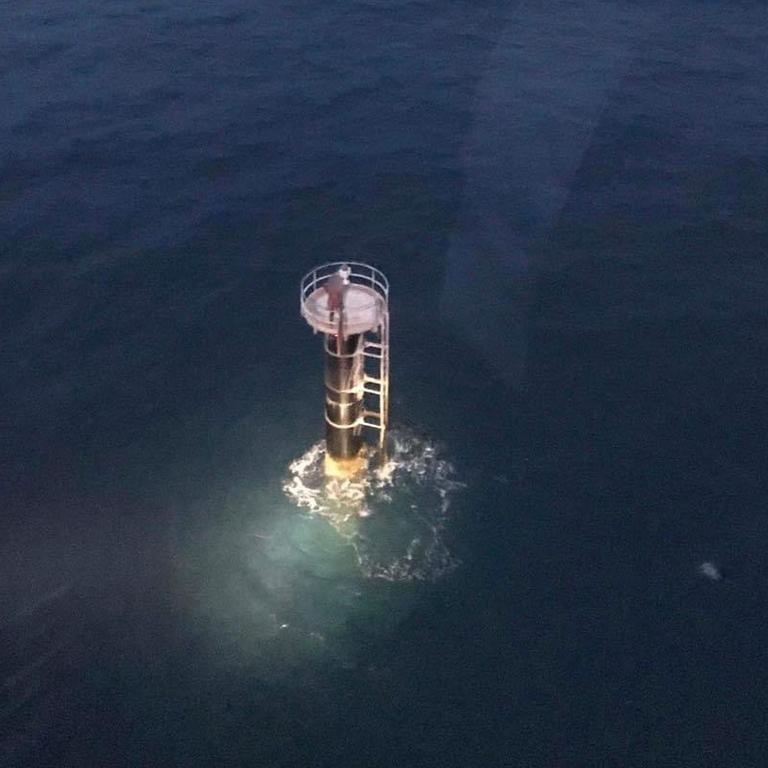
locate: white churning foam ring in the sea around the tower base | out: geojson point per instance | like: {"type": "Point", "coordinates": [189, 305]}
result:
{"type": "Point", "coordinates": [395, 516]}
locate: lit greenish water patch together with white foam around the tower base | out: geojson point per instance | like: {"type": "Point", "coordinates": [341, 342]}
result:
{"type": "Point", "coordinates": [284, 578]}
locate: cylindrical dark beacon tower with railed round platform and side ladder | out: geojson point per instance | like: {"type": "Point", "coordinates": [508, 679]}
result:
{"type": "Point", "coordinates": [348, 302]}
